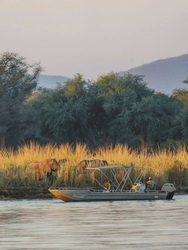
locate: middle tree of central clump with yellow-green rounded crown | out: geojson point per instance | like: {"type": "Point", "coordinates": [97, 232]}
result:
{"type": "Point", "coordinates": [119, 94]}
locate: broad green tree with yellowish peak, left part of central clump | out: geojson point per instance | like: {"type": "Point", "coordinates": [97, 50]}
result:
{"type": "Point", "coordinates": [62, 112]}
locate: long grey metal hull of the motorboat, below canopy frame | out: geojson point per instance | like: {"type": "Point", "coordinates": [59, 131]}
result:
{"type": "Point", "coordinates": [89, 195]}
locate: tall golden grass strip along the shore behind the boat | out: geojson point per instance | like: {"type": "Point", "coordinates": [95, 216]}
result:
{"type": "Point", "coordinates": [164, 165]}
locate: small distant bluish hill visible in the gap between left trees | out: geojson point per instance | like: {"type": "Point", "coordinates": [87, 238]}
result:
{"type": "Point", "coordinates": [49, 81]}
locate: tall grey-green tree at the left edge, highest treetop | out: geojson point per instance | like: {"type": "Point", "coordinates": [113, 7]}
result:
{"type": "Point", "coordinates": [17, 80]}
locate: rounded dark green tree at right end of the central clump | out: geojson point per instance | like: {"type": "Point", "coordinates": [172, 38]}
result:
{"type": "Point", "coordinates": [155, 118]}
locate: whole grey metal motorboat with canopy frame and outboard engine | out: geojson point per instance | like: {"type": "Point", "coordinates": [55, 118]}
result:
{"type": "Point", "coordinates": [116, 191]}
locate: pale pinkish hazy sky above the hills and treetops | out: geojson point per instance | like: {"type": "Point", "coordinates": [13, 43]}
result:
{"type": "Point", "coordinates": [93, 37]}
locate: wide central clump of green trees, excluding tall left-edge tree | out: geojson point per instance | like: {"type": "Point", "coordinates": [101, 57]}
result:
{"type": "Point", "coordinates": [112, 109]}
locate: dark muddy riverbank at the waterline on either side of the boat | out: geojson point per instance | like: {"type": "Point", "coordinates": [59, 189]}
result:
{"type": "Point", "coordinates": [43, 193]}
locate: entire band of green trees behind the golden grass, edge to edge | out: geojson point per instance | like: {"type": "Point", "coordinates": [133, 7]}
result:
{"type": "Point", "coordinates": [112, 109]}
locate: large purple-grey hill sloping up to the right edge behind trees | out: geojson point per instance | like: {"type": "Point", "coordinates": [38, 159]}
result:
{"type": "Point", "coordinates": [163, 75]}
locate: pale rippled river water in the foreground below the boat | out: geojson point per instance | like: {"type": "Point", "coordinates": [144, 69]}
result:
{"type": "Point", "coordinates": [54, 224]}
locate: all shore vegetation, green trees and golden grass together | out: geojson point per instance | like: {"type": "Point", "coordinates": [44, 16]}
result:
{"type": "Point", "coordinates": [114, 116]}
